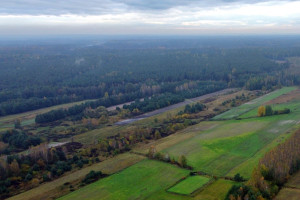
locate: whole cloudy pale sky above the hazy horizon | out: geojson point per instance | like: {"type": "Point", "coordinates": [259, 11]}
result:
{"type": "Point", "coordinates": [151, 17]}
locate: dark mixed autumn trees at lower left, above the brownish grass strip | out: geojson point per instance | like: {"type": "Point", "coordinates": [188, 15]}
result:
{"type": "Point", "coordinates": [42, 164]}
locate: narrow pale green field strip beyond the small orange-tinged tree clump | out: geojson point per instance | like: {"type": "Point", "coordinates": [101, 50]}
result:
{"type": "Point", "coordinates": [240, 110]}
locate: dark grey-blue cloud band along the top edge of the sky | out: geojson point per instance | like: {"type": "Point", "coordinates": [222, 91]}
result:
{"type": "Point", "coordinates": [98, 7]}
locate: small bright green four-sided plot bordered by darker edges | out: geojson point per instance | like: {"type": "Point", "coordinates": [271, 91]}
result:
{"type": "Point", "coordinates": [189, 185]}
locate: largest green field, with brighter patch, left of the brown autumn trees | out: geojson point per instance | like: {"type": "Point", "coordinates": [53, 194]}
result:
{"type": "Point", "coordinates": [234, 145]}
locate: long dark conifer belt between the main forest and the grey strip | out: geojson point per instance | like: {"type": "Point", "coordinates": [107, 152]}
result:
{"type": "Point", "coordinates": [138, 107]}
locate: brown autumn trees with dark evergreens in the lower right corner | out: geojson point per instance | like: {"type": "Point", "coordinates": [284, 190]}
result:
{"type": "Point", "coordinates": [273, 171]}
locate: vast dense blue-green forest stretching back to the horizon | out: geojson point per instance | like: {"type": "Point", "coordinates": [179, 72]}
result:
{"type": "Point", "coordinates": [36, 75]}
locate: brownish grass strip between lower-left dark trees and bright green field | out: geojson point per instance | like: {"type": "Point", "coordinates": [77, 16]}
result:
{"type": "Point", "coordinates": [56, 188]}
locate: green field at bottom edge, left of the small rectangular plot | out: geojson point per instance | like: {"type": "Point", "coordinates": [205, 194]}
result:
{"type": "Point", "coordinates": [143, 180]}
